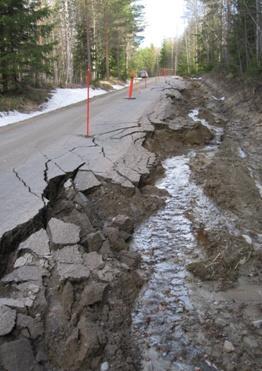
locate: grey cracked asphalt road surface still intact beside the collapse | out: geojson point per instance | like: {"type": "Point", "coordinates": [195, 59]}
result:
{"type": "Point", "coordinates": [36, 150]}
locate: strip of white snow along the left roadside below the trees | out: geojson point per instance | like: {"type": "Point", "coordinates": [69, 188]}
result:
{"type": "Point", "coordinates": [60, 98]}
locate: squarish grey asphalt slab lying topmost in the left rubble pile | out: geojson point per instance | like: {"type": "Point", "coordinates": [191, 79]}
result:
{"type": "Point", "coordinates": [63, 233]}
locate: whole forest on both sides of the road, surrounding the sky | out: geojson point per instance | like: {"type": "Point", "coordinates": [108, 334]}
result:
{"type": "Point", "coordinates": [52, 41]}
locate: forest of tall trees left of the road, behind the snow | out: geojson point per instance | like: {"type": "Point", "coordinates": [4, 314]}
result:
{"type": "Point", "coordinates": [53, 41]}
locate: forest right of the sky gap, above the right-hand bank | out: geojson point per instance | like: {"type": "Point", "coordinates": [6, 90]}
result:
{"type": "Point", "coordinates": [223, 35]}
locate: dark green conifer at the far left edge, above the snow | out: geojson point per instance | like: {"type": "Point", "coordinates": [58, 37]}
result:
{"type": "Point", "coordinates": [23, 50]}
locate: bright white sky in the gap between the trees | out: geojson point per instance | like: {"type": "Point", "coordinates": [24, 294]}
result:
{"type": "Point", "coordinates": [163, 20]}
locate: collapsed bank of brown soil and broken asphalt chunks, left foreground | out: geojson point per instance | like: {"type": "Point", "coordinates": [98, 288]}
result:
{"type": "Point", "coordinates": [70, 280]}
